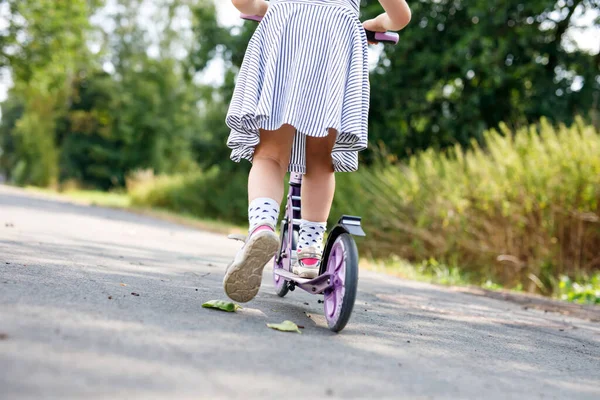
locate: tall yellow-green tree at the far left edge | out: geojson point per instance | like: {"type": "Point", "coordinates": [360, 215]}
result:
{"type": "Point", "coordinates": [42, 52]}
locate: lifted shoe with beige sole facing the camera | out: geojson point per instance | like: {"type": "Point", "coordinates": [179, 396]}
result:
{"type": "Point", "coordinates": [242, 280]}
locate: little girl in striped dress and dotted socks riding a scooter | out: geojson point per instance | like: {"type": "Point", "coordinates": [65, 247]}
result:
{"type": "Point", "coordinates": [300, 104]}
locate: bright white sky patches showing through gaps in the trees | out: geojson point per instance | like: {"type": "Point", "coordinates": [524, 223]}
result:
{"type": "Point", "coordinates": [586, 38]}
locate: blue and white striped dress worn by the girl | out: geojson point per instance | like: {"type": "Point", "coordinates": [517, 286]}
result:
{"type": "Point", "coordinates": [306, 65]}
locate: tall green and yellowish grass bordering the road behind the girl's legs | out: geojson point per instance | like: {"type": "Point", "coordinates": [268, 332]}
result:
{"type": "Point", "coordinates": [520, 212]}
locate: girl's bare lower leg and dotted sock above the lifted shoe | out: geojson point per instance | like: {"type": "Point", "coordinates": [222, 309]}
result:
{"type": "Point", "coordinates": [265, 182]}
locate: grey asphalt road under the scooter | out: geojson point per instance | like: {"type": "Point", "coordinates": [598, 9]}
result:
{"type": "Point", "coordinates": [70, 326]}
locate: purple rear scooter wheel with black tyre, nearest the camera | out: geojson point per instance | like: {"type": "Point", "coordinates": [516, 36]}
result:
{"type": "Point", "coordinates": [342, 265]}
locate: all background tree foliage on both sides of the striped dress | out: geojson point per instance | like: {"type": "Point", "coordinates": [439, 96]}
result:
{"type": "Point", "coordinates": [98, 94]}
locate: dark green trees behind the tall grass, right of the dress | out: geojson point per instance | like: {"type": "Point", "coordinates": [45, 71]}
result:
{"type": "Point", "coordinates": [462, 68]}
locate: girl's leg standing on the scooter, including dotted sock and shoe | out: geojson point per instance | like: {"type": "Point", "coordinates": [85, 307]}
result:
{"type": "Point", "coordinates": [318, 187]}
